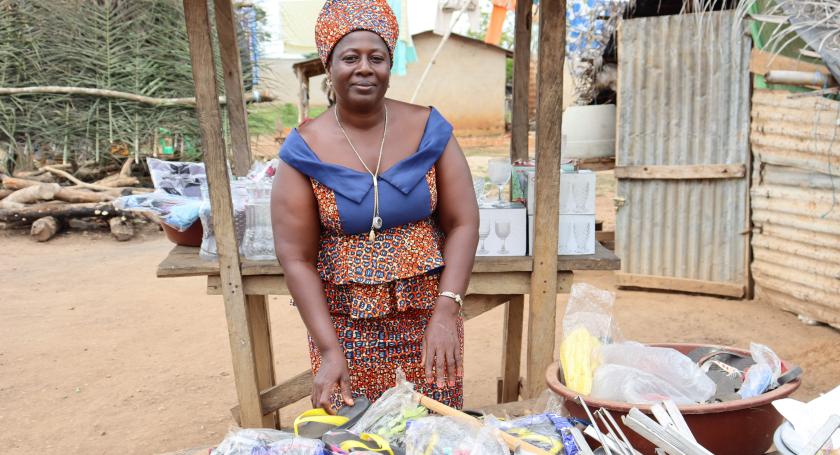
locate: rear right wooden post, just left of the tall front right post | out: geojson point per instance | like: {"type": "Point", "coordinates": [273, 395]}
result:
{"type": "Point", "coordinates": [521, 78]}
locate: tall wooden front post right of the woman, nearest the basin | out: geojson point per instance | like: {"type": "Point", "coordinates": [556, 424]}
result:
{"type": "Point", "coordinates": [543, 300]}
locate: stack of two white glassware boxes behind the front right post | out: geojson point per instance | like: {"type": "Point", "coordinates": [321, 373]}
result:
{"type": "Point", "coordinates": [577, 213]}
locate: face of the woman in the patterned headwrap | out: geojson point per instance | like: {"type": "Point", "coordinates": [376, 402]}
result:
{"type": "Point", "coordinates": [360, 68]}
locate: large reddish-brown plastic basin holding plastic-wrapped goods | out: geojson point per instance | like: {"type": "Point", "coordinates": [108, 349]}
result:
{"type": "Point", "coordinates": [740, 427]}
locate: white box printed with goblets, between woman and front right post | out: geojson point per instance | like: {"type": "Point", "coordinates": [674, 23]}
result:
{"type": "Point", "coordinates": [503, 231]}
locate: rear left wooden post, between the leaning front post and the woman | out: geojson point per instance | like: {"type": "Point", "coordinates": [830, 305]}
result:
{"type": "Point", "coordinates": [232, 70]}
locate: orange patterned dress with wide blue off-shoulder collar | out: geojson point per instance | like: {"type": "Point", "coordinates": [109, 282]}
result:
{"type": "Point", "coordinates": [381, 294]}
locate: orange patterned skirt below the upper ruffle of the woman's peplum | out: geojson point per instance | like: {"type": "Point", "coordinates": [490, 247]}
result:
{"type": "Point", "coordinates": [375, 347]}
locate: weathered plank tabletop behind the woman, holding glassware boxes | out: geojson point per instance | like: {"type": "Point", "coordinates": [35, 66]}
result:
{"type": "Point", "coordinates": [184, 261]}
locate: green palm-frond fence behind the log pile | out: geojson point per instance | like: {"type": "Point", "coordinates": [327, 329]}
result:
{"type": "Point", "coordinates": [136, 46]}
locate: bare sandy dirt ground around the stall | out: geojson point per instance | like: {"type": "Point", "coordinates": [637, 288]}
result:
{"type": "Point", "coordinates": [97, 355]}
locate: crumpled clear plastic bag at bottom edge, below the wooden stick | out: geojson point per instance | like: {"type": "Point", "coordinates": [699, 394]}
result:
{"type": "Point", "coordinates": [447, 436]}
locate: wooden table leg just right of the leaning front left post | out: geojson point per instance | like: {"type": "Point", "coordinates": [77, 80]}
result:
{"type": "Point", "coordinates": [260, 327]}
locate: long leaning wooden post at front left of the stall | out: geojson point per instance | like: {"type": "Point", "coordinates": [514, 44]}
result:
{"type": "Point", "coordinates": [210, 123]}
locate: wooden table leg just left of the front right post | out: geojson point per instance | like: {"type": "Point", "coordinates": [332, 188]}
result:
{"type": "Point", "coordinates": [512, 348]}
